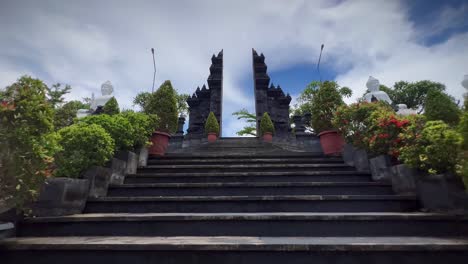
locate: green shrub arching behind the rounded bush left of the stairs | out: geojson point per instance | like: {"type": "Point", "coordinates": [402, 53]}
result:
{"type": "Point", "coordinates": [117, 126]}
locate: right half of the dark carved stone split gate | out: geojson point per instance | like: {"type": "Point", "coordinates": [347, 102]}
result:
{"type": "Point", "coordinates": [269, 98]}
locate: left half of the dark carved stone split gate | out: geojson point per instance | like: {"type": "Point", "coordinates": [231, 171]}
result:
{"type": "Point", "coordinates": [204, 101]}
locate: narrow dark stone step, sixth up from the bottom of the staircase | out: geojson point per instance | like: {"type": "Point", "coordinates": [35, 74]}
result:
{"type": "Point", "coordinates": [244, 168]}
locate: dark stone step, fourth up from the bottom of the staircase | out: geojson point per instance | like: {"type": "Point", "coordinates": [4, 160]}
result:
{"type": "Point", "coordinates": [250, 188]}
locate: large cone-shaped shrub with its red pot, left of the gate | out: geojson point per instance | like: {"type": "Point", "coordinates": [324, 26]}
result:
{"type": "Point", "coordinates": [162, 103]}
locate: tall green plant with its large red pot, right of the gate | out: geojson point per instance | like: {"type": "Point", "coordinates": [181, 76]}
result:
{"type": "Point", "coordinates": [326, 98]}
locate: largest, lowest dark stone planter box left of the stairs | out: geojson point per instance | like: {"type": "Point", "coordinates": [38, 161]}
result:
{"type": "Point", "coordinates": [61, 196]}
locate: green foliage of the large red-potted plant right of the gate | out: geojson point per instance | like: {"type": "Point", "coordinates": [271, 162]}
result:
{"type": "Point", "coordinates": [324, 98]}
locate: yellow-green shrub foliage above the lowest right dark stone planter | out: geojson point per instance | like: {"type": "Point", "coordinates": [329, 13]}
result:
{"type": "Point", "coordinates": [435, 150]}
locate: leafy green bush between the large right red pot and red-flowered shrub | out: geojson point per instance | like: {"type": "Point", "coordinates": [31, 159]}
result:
{"type": "Point", "coordinates": [354, 121]}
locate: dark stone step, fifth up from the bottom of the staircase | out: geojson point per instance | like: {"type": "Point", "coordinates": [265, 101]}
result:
{"type": "Point", "coordinates": [277, 176]}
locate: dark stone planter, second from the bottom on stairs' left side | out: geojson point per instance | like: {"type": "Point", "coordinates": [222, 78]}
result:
{"type": "Point", "coordinates": [99, 178]}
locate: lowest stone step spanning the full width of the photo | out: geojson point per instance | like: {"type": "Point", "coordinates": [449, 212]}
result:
{"type": "Point", "coordinates": [233, 250]}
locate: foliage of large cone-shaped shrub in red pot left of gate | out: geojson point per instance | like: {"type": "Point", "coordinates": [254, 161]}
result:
{"type": "Point", "coordinates": [163, 103]}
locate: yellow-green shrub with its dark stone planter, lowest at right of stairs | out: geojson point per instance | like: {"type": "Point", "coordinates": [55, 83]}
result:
{"type": "Point", "coordinates": [435, 153]}
